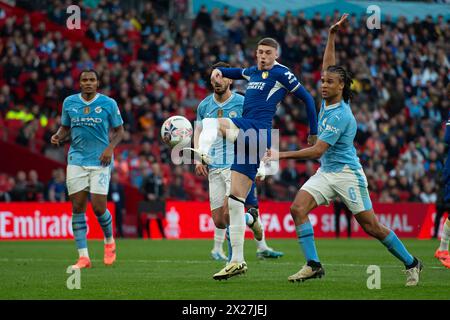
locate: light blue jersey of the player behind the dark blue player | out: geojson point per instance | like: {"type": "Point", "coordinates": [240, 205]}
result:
{"type": "Point", "coordinates": [222, 151]}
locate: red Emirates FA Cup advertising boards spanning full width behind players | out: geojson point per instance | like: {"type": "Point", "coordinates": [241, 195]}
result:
{"type": "Point", "coordinates": [192, 220]}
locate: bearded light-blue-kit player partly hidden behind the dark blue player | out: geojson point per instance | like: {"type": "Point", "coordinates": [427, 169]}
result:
{"type": "Point", "coordinates": [225, 104]}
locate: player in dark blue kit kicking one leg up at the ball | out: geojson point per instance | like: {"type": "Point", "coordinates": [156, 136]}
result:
{"type": "Point", "coordinates": [268, 84]}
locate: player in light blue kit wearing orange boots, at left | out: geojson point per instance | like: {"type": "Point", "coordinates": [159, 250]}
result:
{"type": "Point", "coordinates": [87, 117]}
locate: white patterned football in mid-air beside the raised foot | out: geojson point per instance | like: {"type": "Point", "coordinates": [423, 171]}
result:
{"type": "Point", "coordinates": [176, 130]}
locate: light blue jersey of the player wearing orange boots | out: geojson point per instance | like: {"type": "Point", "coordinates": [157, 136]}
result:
{"type": "Point", "coordinates": [89, 122]}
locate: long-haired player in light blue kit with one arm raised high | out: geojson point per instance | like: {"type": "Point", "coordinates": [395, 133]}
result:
{"type": "Point", "coordinates": [340, 174]}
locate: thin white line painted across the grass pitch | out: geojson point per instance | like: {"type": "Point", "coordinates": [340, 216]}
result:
{"type": "Point", "coordinates": [206, 261]}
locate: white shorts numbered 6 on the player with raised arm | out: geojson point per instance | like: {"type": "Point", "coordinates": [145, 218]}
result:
{"type": "Point", "coordinates": [349, 185]}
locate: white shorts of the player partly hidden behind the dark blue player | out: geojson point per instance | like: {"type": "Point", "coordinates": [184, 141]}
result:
{"type": "Point", "coordinates": [219, 186]}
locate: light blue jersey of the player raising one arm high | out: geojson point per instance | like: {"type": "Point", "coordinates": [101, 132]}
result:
{"type": "Point", "coordinates": [337, 127]}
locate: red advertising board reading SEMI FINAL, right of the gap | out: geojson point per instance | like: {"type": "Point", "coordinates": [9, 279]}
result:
{"type": "Point", "coordinates": [193, 220]}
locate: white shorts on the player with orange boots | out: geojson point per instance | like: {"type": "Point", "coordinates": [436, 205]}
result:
{"type": "Point", "coordinates": [92, 179]}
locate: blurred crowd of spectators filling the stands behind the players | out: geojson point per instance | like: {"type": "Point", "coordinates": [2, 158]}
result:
{"type": "Point", "coordinates": [156, 67]}
